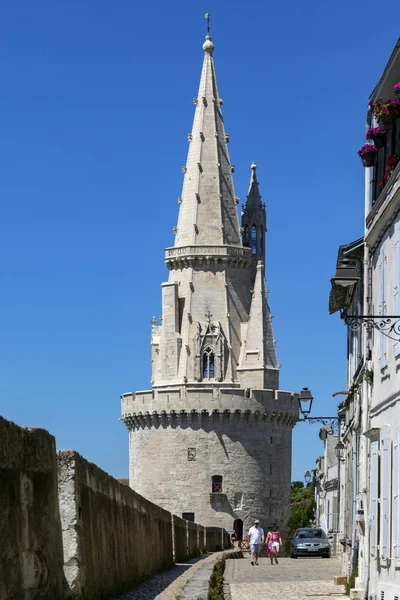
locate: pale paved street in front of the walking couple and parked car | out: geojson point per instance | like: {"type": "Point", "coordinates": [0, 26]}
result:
{"type": "Point", "coordinates": [301, 579]}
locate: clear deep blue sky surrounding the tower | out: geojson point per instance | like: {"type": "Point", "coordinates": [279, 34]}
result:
{"type": "Point", "coordinates": [95, 108]}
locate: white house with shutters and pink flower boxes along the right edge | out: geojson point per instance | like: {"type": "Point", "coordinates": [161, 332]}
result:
{"type": "Point", "coordinates": [372, 407]}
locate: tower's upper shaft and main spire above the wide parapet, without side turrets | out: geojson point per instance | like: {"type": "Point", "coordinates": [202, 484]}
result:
{"type": "Point", "coordinates": [207, 296]}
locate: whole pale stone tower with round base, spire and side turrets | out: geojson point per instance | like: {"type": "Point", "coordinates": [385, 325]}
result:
{"type": "Point", "coordinates": [212, 439]}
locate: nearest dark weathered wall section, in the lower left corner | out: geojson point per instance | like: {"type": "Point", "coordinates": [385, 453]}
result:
{"type": "Point", "coordinates": [31, 555]}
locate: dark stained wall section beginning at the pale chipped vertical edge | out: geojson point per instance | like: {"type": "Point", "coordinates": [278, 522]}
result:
{"type": "Point", "coordinates": [113, 537]}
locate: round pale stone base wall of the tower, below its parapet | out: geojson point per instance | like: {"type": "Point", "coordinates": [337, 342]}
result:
{"type": "Point", "coordinates": [252, 455]}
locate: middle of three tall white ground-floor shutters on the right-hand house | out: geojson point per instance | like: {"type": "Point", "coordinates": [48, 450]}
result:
{"type": "Point", "coordinates": [386, 484]}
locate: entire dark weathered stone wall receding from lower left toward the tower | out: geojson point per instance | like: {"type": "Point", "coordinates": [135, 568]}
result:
{"type": "Point", "coordinates": [83, 535]}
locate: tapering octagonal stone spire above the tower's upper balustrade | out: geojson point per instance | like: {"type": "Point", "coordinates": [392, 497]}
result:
{"type": "Point", "coordinates": [208, 213]}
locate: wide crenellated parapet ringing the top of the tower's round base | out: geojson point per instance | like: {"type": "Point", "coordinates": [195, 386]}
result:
{"type": "Point", "coordinates": [198, 408]}
